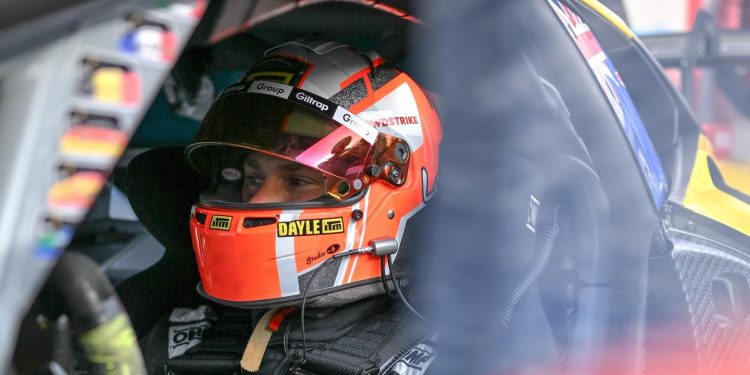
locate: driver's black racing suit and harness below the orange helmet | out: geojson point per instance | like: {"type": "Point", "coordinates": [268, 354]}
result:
{"type": "Point", "coordinates": [372, 336]}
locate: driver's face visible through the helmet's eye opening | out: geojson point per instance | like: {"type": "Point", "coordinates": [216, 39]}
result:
{"type": "Point", "coordinates": [269, 179]}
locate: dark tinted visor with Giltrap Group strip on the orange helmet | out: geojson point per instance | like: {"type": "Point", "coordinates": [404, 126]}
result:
{"type": "Point", "coordinates": [300, 127]}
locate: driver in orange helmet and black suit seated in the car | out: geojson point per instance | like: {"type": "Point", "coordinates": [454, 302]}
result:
{"type": "Point", "coordinates": [320, 160]}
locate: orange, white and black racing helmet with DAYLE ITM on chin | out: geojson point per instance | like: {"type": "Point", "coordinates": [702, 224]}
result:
{"type": "Point", "coordinates": [365, 126]}
